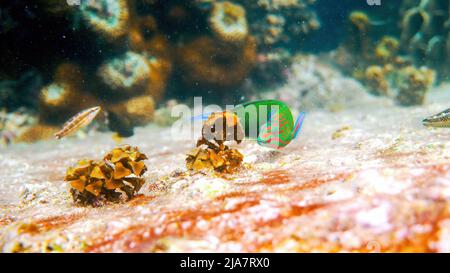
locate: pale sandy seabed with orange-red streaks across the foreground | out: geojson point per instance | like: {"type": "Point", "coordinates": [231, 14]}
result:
{"type": "Point", "coordinates": [365, 179]}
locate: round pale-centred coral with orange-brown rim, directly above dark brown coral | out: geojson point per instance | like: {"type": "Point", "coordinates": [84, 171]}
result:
{"type": "Point", "coordinates": [228, 22]}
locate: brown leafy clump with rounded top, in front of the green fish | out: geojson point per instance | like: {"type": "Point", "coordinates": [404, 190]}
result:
{"type": "Point", "coordinates": [211, 152]}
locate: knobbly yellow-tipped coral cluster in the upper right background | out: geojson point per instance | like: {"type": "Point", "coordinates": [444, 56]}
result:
{"type": "Point", "coordinates": [381, 63]}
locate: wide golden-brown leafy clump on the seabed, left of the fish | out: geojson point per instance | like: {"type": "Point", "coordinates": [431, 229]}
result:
{"type": "Point", "coordinates": [117, 177]}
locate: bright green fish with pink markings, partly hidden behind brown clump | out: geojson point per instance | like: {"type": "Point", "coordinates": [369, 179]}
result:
{"type": "Point", "coordinates": [270, 122]}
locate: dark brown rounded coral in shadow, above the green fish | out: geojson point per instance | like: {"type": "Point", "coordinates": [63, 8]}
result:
{"type": "Point", "coordinates": [210, 62]}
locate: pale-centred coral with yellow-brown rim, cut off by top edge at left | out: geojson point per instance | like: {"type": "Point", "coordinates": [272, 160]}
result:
{"type": "Point", "coordinates": [109, 17]}
